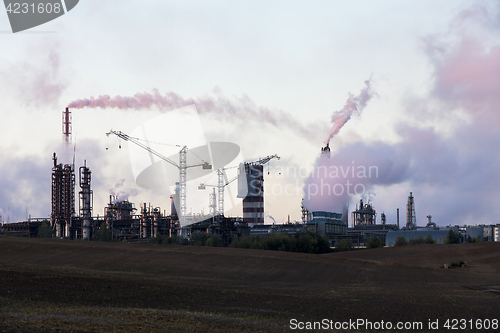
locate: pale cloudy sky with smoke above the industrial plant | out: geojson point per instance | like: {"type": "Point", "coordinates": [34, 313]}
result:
{"type": "Point", "coordinates": [273, 77]}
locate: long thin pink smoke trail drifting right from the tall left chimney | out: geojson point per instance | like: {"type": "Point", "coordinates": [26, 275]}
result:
{"type": "Point", "coordinates": [238, 108]}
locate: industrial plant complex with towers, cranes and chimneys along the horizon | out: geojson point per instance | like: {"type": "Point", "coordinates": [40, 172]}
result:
{"type": "Point", "coordinates": [129, 223]}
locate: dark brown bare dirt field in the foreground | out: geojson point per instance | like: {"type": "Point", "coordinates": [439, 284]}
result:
{"type": "Point", "coordinates": [80, 286]}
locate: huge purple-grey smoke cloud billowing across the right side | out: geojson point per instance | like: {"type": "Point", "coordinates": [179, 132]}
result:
{"type": "Point", "coordinates": [453, 173]}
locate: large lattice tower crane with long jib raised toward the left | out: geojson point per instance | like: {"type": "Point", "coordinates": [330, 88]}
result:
{"type": "Point", "coordinates": [182, 166]}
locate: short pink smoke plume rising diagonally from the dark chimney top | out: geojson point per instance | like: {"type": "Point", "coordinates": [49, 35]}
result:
{"type": "Point", "coordinates": [354, 103]}
